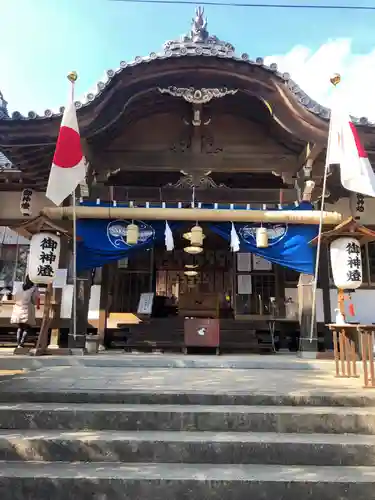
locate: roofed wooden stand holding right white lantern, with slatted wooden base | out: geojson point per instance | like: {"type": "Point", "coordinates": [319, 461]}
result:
{"type": "Point", "coordinates": [349, 338]}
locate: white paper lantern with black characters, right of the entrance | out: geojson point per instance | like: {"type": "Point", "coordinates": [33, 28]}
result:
{"type": "Point", "coordinates": [346, 263]}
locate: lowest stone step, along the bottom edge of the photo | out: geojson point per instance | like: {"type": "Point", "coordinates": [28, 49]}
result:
{"type": "Point", "coordinates": [115, 481]}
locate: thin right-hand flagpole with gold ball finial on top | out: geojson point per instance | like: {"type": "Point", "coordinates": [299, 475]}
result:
{"type": "Point", "coordinates": [335, 80]}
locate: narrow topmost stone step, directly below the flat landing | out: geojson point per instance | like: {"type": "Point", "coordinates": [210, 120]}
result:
{"type": "Point", "coordinates": [184, 398]}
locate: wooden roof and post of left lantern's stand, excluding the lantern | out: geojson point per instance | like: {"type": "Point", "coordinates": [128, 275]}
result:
{"type": "Point", "coordinates": [51, 312]}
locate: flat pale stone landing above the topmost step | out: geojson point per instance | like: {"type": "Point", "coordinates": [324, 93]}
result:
{"type": "Point", "coordinates": [319, 379]}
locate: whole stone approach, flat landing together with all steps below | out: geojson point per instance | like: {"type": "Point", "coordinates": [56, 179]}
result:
{"type": "Point", "coordinates": [166, 427]}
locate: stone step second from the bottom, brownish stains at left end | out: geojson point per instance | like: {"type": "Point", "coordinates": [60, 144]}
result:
{"type": "Point", "coordinates": [188, 447]}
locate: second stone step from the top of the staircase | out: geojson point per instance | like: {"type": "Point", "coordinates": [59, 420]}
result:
{"type": "Point", "coordinates": [214, 418]}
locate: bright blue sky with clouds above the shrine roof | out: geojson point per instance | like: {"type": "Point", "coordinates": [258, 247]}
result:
{"type": "Point", "coordinates": [42, 40]}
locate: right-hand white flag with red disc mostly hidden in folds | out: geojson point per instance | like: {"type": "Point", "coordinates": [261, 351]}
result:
{"type": "Point", "coordinates": [345, 149]}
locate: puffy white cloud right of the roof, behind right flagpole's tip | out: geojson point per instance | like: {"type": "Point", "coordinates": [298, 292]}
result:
{"type": "Point", "coordinates": [312, 70]}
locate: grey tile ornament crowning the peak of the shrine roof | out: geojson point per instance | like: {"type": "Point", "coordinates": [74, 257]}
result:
{"type": "Point", "coordinates": [198, 40]}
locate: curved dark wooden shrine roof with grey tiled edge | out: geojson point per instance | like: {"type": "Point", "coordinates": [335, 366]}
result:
{"type": "Point", "coordinates": [151, 85]}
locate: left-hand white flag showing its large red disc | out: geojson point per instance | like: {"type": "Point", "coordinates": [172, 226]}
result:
{"type": "Point", "coordinates": [69, 165]}
